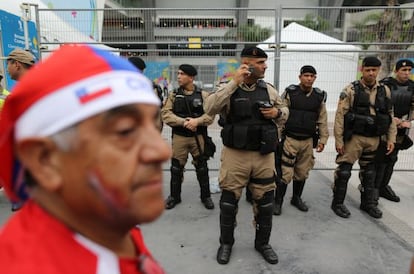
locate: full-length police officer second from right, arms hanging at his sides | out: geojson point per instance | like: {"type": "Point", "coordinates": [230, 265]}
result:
{"type": "Point", "coordinates": [364, 113]}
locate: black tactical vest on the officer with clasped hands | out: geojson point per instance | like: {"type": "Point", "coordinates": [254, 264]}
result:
{"type": "Point", "coordinates": [188, 106]}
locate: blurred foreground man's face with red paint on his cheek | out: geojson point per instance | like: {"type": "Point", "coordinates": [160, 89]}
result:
{"type": "Point", "coordinates": [114, 171]}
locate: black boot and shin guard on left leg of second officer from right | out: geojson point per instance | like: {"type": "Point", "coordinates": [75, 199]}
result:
{"type": "Point", "coordinates": [342, 175]}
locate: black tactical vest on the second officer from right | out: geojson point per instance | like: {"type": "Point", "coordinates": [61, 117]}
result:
{"type": "Point", "coordinates": [362, 121]}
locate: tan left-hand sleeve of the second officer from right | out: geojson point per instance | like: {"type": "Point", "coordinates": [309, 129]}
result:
{"type": "Point", "coordinates": [344, 104]}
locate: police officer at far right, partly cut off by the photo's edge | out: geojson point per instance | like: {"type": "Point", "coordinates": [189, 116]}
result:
{"type": "Point", "coordinates": [402, 93]}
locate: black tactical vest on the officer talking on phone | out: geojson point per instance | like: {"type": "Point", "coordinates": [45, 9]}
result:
{"type": "Point", "coordinates": [245, 127]}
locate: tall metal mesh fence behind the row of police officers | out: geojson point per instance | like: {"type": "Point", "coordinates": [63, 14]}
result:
{"type": "Point", "coordinates": [333, 39]}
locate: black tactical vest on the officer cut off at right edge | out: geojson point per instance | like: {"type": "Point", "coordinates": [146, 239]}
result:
{"type": "Point", "coordinates": [401, 97]}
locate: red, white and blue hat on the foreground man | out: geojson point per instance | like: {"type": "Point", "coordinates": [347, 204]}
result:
{"type": "Point", "coordinates": [74, 83]}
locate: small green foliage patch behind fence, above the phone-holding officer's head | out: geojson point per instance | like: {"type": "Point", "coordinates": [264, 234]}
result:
{"type": "Point", "coordinates": [249, 33]}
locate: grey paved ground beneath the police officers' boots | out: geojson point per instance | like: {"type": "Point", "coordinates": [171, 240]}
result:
{"type": "Point", "coordinates": [185, 239]}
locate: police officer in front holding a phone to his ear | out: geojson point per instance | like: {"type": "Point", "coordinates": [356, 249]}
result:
{"type": "Point", "coordinates": [248, 107]}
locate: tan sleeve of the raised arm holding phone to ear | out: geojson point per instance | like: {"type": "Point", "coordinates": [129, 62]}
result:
{"type": "Point", "coordinates": [217, 101]}
